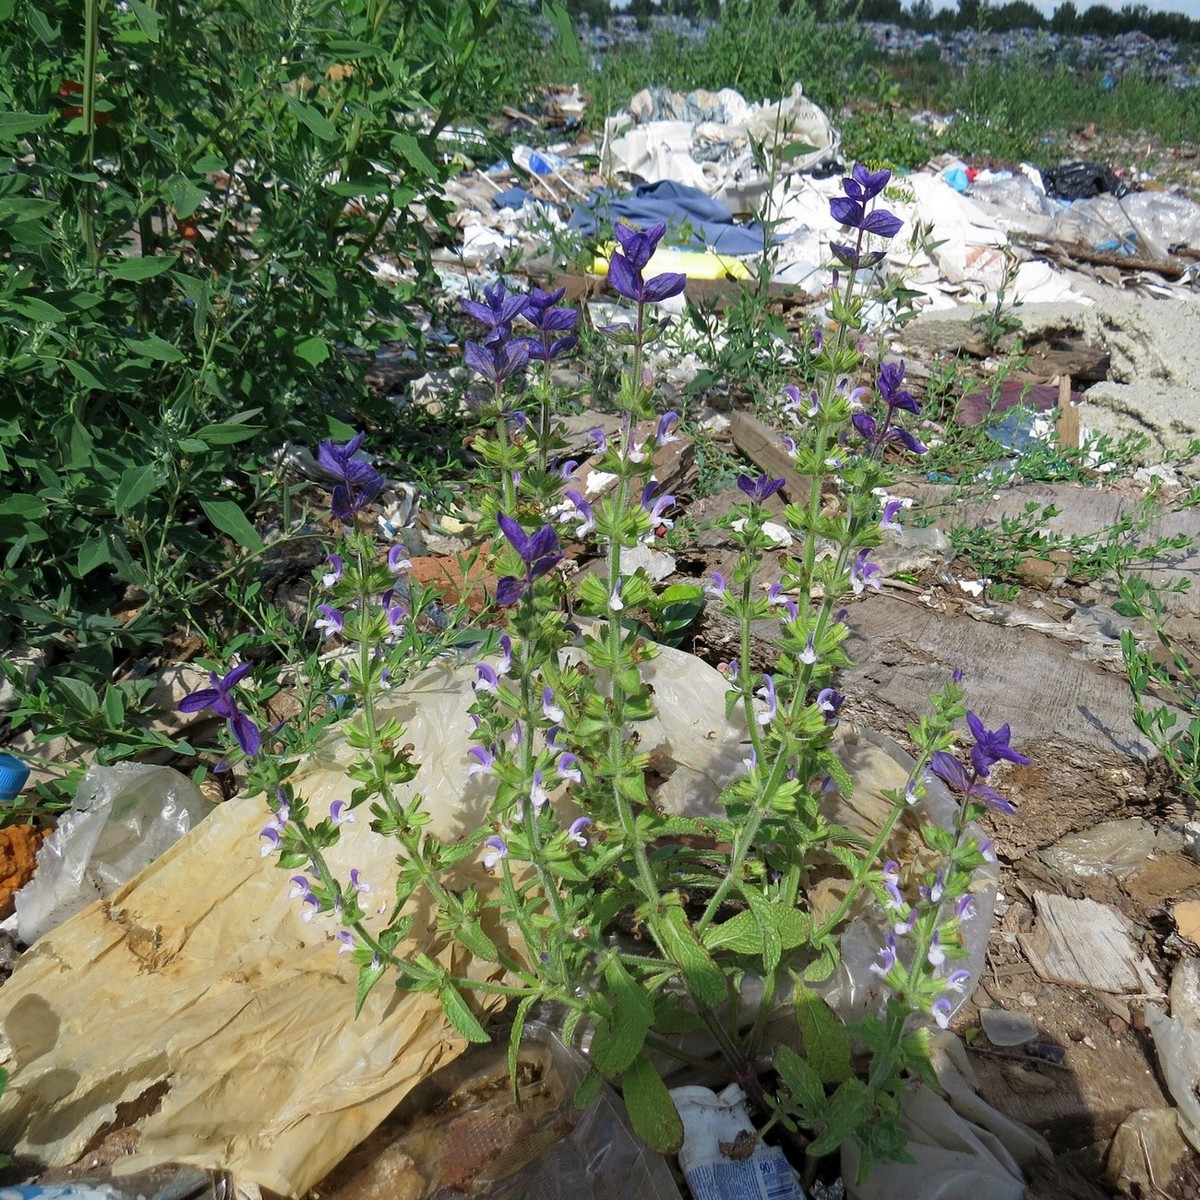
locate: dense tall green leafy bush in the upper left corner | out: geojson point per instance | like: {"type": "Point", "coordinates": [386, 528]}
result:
{"type": "Point", "coordinates": [191, 212]}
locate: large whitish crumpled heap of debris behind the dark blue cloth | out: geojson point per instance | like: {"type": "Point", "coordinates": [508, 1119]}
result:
{"type": "Point", "coordinates": [704, 140]}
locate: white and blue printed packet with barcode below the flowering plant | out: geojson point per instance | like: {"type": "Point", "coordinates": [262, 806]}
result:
{"type": "Point", "coordinates": [715, 1125]}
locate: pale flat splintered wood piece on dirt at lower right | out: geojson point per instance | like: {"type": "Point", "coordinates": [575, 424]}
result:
{"type": "Point", "coordinates": [1082, 944]}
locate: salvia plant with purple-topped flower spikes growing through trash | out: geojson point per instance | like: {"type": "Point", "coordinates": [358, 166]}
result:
{"type": "Point", "coordinates": [662, 935]}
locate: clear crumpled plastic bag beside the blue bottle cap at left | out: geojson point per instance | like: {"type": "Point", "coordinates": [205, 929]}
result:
{"type": "Point", "coordinates": [124, 818]}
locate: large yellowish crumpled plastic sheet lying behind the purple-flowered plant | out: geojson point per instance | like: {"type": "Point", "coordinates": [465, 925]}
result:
{"type": "Point", "coordinates": [200, 975]}
